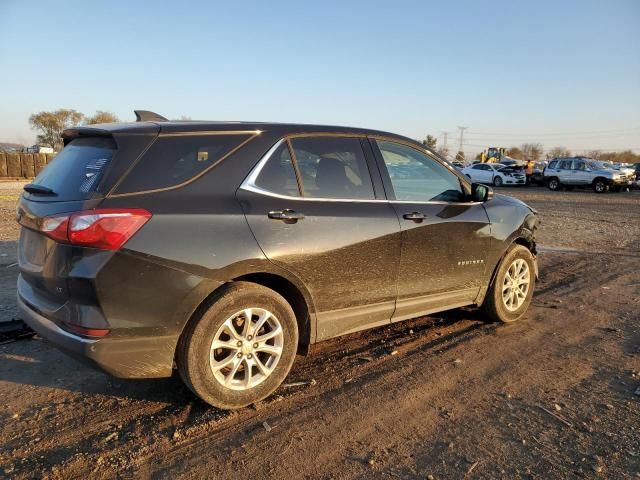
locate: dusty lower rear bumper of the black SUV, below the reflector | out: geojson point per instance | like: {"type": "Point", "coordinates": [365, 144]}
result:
{"type": "Point", "coordinates": [124, 357]}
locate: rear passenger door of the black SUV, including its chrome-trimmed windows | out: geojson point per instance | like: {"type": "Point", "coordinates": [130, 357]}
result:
{"type": "Point", "coordinates": [316, 209]}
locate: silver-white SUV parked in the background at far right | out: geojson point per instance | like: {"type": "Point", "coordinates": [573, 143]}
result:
{"type": "Point", "coordinates": [584, 172]}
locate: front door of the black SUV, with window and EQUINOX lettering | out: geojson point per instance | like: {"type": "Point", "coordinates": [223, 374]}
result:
{"type": "Point", "coordinates": [445, 237]}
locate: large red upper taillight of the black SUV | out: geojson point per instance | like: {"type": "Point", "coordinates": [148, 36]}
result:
{"type": "Point", "coordinates": [106, 229]}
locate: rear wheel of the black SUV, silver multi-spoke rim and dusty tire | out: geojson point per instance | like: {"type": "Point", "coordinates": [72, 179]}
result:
{"type": "Point", "coordinates": [240, 348]}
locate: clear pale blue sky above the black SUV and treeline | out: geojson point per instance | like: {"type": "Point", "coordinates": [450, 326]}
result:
{"type": "Point", "coordinates": [562, 73]}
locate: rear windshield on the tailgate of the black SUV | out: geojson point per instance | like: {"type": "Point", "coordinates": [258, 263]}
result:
{"type": "Point", "coordinates": [76, 171]}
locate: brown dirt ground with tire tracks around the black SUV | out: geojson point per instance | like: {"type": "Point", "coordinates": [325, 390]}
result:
{"type": "Point", "coordinates": [446, 396]}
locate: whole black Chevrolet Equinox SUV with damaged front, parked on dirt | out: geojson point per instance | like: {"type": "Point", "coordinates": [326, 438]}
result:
{"type": "Point", "coordinates": [223, 249]}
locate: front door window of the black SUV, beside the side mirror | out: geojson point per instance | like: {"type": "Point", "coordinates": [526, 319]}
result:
{"type": "Point", "coordinates": [417, 177]}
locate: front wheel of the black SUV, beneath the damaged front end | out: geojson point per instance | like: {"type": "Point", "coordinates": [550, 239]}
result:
{"type": "Point", "coordinates": [512, 288]}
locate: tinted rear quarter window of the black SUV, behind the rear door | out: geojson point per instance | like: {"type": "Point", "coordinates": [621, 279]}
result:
{"type": "Point", "coordinates": [172, 160]}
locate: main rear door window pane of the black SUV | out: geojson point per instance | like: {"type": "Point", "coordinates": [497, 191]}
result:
{"type": "Point", "coordinates": [333, 167]}
